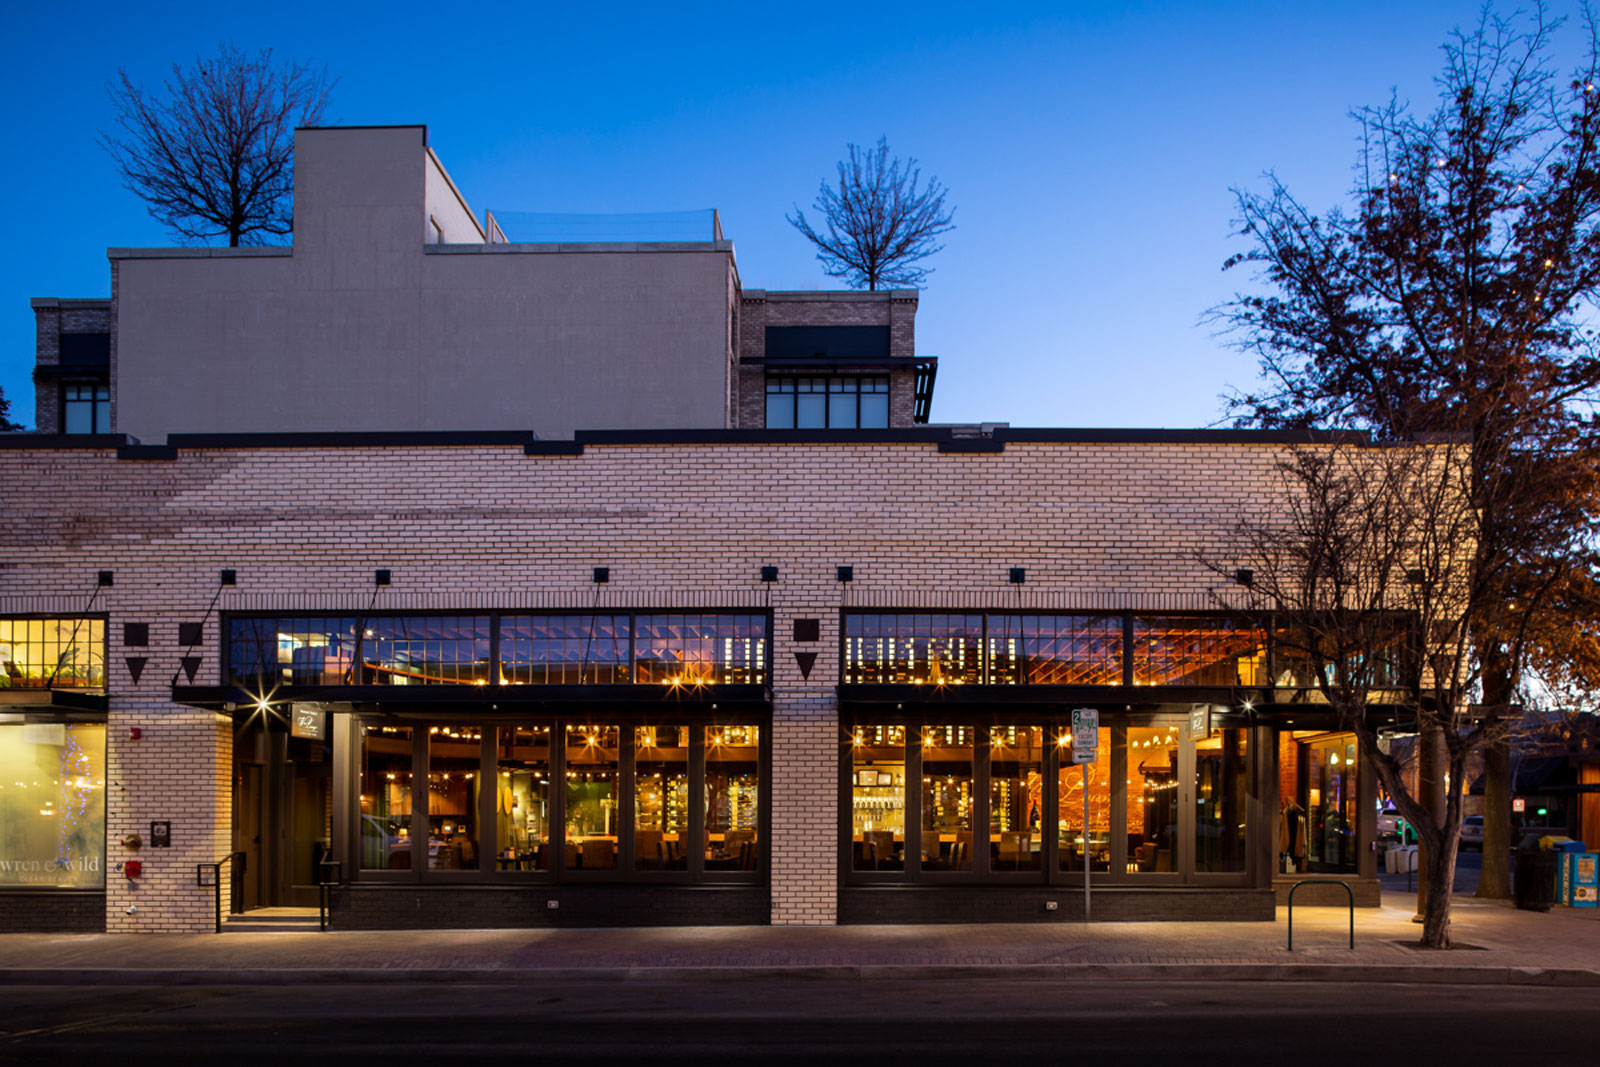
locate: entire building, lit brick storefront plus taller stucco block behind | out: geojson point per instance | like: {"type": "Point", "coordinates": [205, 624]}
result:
{"type": "Point", "coordinates": [791, 658]}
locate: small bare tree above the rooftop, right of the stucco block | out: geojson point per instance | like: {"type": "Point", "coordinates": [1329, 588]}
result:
{"type": "Point", "coordinates": [879, 225]}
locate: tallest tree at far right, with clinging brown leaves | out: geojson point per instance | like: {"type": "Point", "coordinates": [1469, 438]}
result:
{"type": "Point", "coordinates": [1458, 297]}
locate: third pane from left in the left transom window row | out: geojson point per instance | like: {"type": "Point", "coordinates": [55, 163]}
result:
{"type": "Point", "coordinates": [566, 650]}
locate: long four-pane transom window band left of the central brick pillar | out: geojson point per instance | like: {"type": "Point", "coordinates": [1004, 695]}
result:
{"type": "Point", "coordinates": [612, 649]}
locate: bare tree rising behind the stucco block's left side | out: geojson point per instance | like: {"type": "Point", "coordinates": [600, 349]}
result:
{"type": "Point", "coordinates": [214, 151]}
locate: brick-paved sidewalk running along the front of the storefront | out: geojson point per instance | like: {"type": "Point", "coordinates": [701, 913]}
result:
{"type": "Point", "coordinates": [1497, 945]}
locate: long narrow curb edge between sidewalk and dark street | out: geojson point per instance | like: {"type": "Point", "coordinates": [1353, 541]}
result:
{"type": "Point", "coordinates": [852, 973]}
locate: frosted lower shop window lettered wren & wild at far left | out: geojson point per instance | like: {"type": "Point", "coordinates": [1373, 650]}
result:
{"type": "Point", "coordinates": [54, 805]}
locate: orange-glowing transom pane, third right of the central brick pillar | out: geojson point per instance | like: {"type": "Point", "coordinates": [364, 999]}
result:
{"type": "Point", "coordinates": [1207, 652]}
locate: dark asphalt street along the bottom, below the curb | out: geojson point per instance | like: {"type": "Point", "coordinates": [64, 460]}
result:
{"type": "Point", "coordinates": [793, 1021]}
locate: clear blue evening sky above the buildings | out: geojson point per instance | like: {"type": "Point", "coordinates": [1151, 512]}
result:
{"type": "Point", "coordinates": [1090, 150]}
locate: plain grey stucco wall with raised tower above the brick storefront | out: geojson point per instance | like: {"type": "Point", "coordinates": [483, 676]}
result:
{"type": "Point", "coordinates": [364, 327]}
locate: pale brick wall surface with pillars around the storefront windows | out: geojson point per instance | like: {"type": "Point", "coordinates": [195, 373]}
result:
{"type": "Point", "coordinates": [1095, 526]}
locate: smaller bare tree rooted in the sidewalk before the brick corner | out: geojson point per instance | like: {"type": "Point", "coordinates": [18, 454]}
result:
{"type": "Point", "coordinates": [1374, 585]}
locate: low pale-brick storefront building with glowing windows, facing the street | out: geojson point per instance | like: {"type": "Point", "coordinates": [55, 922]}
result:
{"type": "Point", "coordinates": [1106, 540]}
